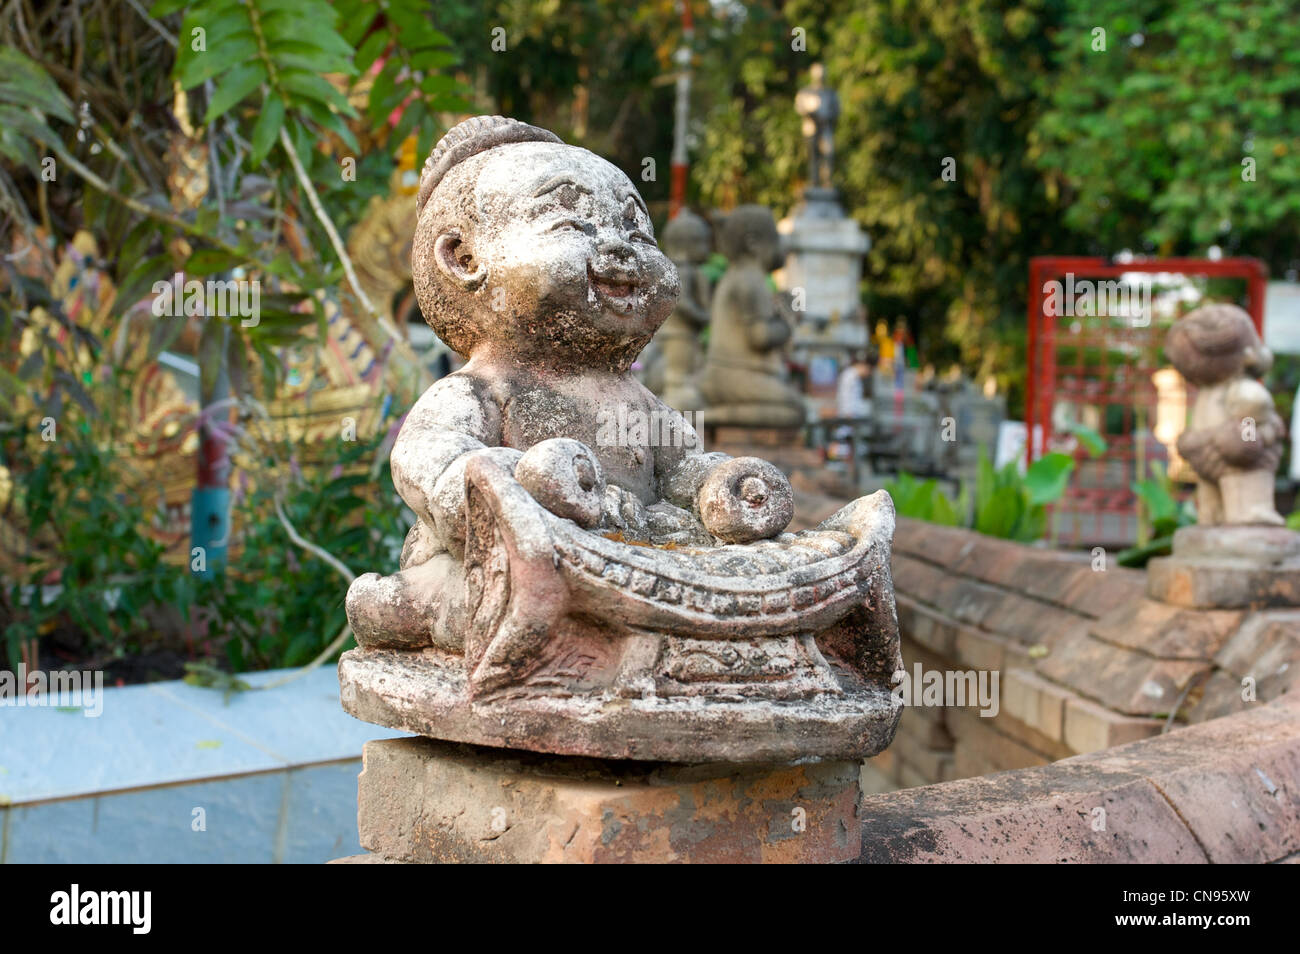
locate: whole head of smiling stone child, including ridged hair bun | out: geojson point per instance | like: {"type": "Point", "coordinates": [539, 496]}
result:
{"type": "Point", "coordinates": [532, 249]}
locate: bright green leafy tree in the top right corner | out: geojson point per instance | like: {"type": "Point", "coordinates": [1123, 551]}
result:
{"type": "Point", "coordinates": [1172, 127]}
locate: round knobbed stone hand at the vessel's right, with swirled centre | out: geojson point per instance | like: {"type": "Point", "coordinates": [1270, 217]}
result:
{"type": "Point", "coordinates": [746, 500]}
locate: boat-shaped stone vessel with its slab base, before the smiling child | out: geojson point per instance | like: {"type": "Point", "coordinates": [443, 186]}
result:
{"type": "Point", "coordinates": [579, 643]}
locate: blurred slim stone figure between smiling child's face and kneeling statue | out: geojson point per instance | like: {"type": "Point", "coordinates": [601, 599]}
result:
{"type": "Point", "coordinates": [687, 241]}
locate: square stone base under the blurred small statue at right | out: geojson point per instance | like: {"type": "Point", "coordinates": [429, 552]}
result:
{"type": "Point", "coordinates": [1229, 567]}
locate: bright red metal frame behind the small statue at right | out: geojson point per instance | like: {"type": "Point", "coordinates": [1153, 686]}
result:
{"type": "Point", "coordinates": [1043, 388]}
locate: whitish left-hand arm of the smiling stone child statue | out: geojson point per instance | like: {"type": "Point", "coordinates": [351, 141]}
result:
{"type": "Point", "coordinates": [454, 419]}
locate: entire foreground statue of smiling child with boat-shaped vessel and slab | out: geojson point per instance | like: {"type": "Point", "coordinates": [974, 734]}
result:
{"type": "Point", "coordinates": [582, 579]}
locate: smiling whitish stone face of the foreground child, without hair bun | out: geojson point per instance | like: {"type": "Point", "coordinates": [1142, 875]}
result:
{"type": "Point", "coordinates": [561, 258]}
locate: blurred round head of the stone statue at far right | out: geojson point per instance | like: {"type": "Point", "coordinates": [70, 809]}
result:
{"type": "Point", "coordinates": [1215, 344]}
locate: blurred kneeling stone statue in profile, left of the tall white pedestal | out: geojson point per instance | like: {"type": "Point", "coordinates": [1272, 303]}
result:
{"type": "Point", "coordinates": [744, 379]}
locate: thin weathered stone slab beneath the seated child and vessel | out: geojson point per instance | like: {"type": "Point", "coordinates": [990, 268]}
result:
{"type": "Point", "coordinates": [427, 693]}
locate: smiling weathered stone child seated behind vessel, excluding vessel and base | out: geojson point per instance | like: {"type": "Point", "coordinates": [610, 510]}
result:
{"type": "Point", "coordinates": [538, 262]}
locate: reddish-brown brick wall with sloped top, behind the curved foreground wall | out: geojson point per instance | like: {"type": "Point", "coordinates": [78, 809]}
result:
{"type": "Point", "coordinates": [1086, 660]}
